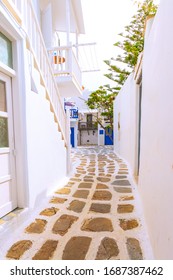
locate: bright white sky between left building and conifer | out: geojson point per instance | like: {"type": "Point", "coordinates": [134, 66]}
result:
{"type": "Point", "coordinates": [104, 20]}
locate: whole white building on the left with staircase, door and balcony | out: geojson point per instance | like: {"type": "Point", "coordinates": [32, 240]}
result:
{"type": "Point", "coordinates": [35, 76]}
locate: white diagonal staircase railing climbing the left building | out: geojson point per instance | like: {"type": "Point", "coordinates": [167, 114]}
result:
{"type": "Point", "coordinates": [35, 43]}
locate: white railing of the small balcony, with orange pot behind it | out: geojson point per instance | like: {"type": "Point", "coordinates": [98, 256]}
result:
{"type": "Point", "coordinates": [65, 64]}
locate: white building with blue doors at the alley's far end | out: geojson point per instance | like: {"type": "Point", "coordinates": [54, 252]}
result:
{"type": "Point", "coordinates": [84, 129]}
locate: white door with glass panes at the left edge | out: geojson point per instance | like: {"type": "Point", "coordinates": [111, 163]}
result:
{"type": "Point", "coordinates": [8, 195]}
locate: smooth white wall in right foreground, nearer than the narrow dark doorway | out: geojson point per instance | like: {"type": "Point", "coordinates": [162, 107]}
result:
{"type": "Point", "coordinates": [156, 173]}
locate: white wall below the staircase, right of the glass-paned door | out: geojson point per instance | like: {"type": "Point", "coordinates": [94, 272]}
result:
{"type": "Point", "coordinates": [46, 154]}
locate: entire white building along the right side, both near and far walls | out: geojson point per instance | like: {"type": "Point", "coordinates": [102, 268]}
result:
{"type": "Point", "coordinates": [143, 128]}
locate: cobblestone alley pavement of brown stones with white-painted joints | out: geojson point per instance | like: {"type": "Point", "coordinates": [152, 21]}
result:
{"type": "Point", "coordinates": [95, 216]}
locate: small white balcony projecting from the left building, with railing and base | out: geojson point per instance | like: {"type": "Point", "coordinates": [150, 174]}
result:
{"type": "Point", "coordinates": [66, 70]}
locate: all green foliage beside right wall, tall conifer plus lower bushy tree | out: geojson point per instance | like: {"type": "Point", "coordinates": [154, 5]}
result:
{"type": "Point", "coordinates": [131, 45]}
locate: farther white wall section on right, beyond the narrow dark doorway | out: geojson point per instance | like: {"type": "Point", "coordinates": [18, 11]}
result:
{"type": "Point", "coordinates": [125, 122]}
